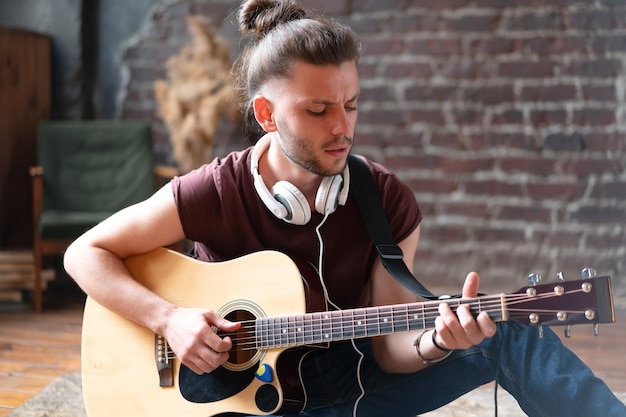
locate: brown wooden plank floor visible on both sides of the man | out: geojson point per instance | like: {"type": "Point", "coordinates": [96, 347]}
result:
{"type": "Point", "coordinates": [36, 348]}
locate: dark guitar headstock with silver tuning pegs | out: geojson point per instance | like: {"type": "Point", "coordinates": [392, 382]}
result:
{"type": "Point", "coordinates": [563, 303]}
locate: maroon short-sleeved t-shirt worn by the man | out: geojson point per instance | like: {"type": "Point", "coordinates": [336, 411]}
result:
{"type": "Point", "coordinates": [221, 212]}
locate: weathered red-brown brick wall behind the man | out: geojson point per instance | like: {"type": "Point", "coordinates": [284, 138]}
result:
{"type": "Point", "coordinates": [507, 118]}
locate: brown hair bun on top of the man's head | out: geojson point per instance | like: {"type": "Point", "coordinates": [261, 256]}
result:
{"type": "Point", "coordinates": [258, 17]}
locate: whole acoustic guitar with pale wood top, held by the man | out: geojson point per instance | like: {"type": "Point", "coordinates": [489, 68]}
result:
{"type": "Point", "coordinates": [129, 371]}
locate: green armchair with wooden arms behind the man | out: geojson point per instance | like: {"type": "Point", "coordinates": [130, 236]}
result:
{"type": "Point", "coordinates": [87, 170]}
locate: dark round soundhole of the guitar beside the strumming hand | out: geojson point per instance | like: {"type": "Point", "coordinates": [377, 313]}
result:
{"type": "Point", "coordinates": [243, 353]}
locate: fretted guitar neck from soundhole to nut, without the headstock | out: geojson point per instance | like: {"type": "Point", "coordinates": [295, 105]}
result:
{"type": "Point", "coordinates": [359, 323]}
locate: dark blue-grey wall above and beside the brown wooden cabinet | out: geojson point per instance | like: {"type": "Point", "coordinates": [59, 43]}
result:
{"type": "Point", "coordinates": [87, 37]}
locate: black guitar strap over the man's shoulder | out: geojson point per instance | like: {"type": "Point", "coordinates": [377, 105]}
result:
{"type": "Point", "coordinates": [370, 204]}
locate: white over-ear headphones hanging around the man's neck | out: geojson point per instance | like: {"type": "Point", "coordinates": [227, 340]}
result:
{"type": "Point", "coordinates": [287, 202]}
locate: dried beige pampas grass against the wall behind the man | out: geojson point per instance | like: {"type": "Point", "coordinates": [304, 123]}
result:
{"type": "Point", "coordinates": [198, 94]}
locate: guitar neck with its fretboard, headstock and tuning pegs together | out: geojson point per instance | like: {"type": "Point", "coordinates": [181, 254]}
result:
{"type": "Point", "coordinates": [564, 303]}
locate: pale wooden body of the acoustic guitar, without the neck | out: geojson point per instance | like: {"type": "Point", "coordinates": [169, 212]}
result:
{"type": "Point", "coordinates": [119, 372]}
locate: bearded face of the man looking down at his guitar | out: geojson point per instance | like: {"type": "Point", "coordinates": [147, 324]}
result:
{"type": "Point", "coordinates": [315, 112]}
